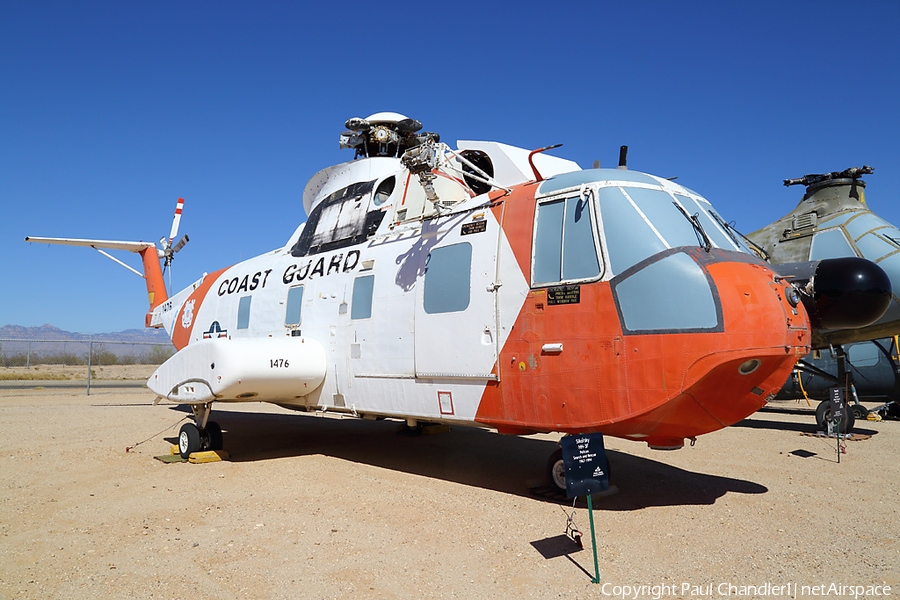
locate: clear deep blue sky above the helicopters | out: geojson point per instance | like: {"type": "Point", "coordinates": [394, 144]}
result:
{"type": "Point", "coordinates": [109, 111]}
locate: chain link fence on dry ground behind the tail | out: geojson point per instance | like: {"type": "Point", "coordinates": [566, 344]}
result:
{"type": "Point", "coordinates": [76, 364]}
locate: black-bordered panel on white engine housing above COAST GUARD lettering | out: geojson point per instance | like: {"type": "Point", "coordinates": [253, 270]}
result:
{"type": "Point", "coordinates": [342, 219]}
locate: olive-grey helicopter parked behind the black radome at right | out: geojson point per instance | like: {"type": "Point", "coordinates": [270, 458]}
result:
{"type": "Point", "coordinates": [833, 220]}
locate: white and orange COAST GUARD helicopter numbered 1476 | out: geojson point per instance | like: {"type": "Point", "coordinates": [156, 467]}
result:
{"type": "Point", "coordinates": [495, 287]}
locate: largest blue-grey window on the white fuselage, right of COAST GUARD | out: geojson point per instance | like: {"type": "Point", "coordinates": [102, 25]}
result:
{"type": "Point", "coordinates": [448, 275]}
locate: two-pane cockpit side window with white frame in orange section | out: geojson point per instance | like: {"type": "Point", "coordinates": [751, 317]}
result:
{"type": "Point", "coordinates": [564, 248]}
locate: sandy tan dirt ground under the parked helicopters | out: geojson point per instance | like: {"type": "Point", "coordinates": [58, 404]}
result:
{"type": "Point", "coordinates": [314, 506]}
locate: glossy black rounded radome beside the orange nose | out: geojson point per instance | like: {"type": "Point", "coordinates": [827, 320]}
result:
{"type": "Point", "coordinates": [847, 293]}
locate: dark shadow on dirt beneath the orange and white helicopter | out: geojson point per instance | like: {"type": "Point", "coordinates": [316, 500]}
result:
{"type": "Point", "coordinates": [465, 455]}
